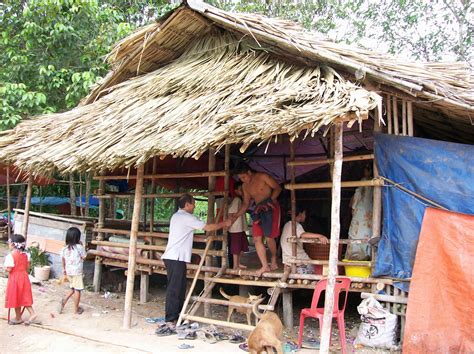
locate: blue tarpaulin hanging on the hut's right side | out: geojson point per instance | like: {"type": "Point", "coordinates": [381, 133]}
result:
{"type": "Point", "coordinates": [440, 171]}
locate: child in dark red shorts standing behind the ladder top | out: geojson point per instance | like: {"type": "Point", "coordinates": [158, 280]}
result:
{"type": "Point", "coordinates": [237, 235]}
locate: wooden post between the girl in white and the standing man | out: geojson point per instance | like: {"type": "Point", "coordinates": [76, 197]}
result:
{"type": "Point", "coordinates": [132, 251]}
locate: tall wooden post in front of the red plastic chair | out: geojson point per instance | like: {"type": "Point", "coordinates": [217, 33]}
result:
{"type": "Point", "coordinates": [334, 247]}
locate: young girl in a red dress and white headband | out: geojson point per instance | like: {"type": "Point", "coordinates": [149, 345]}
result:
{"type": "Point", "coordinates": [18, 293]}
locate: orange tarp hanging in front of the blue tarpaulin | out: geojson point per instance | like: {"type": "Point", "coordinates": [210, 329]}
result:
{"type": "Point", "coordinates": [439, 315]}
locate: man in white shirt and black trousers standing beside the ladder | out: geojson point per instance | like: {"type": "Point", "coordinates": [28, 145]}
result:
{"type": "Point", "coordinates": [177, 253]}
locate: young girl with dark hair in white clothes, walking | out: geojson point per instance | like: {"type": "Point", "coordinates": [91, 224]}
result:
{"type": "Point", "coordinates": [73, 255]}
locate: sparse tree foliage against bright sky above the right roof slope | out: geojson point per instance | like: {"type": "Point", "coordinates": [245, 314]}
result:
{"type": "Point", "coordinates": [420, 29]}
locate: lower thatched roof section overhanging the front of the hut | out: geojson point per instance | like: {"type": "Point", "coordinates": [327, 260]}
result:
{"type": "Point", "coordinates": [220, 91]}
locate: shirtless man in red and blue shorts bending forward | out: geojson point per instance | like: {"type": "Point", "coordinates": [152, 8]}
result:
{"type": "Point", "coordinates": [264, 190]}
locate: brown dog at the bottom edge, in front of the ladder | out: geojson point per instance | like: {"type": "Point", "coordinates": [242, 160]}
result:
{"type": "Point", "coordinates": [267, 334]}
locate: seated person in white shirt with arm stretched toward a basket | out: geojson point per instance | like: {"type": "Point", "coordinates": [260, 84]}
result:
{"type": "Point", "coordinates": [286, 247]}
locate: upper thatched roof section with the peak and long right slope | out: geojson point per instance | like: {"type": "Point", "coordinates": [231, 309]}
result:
{"type": "Point", "coordinates": [447, 87]}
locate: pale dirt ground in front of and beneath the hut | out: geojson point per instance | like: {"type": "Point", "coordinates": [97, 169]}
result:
{"type": "Point", "coordinates": [99, 328]}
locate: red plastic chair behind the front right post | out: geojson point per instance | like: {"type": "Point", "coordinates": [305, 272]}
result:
{"type": "Point", "coordinates": [342, 285]}
